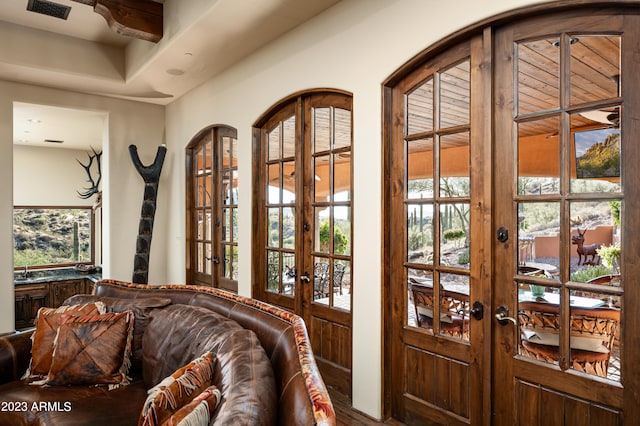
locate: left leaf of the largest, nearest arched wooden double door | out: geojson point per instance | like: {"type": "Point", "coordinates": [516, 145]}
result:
{"type": "Point", "coordinates": [438, 231]}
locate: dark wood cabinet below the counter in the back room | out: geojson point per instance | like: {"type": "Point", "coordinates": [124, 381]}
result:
{"type": "Point", "coordinates": [31, 297]}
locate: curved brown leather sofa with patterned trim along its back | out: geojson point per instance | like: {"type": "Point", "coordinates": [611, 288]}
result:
{"type": "Point", "coordinates": [266, 376]}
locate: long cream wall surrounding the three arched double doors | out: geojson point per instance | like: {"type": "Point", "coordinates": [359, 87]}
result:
{"type": "Point", "coordinates": [353, 46]}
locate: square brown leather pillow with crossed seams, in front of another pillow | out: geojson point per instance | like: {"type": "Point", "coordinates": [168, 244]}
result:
{"type": "Point", "coordinates": [92, 349]}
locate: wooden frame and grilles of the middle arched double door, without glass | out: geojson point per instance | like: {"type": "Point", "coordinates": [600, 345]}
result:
{"type": "Point", "coordinates": [328, 325]}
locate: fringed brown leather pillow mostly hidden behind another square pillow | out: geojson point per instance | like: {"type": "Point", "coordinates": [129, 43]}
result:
{"type": "Point", "coordinates": [47, 322]}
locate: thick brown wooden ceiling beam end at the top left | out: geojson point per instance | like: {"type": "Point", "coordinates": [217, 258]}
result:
{"type": "Point", "coordinates": [134, 18]}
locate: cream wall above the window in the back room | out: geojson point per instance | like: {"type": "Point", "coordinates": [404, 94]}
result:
{"type": "Point", "coordinates": [44, 176]}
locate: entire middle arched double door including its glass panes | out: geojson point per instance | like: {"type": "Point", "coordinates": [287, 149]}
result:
{"type": "Point", "coordinates": [303, 227]}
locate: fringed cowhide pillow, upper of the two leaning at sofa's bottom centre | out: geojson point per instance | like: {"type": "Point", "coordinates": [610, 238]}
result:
{"type": "Point", "coordinates": [177, 390]}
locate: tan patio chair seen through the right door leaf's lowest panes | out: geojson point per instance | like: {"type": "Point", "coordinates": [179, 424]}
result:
{"type": "Point", "coordinates": [592, 335]}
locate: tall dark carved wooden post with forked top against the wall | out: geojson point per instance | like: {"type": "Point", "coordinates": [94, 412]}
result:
{"type": "Point", "coordinates": [151, 176]}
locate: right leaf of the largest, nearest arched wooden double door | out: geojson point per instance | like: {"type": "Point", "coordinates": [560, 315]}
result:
{"type": "Point", "coordinates": [565, 128]}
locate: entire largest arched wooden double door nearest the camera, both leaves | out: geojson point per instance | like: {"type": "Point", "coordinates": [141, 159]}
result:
{"type": "Point", "coordinates": [512, 205]}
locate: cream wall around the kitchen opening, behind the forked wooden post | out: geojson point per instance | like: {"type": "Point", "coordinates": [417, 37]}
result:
{"type": "Point", "coordinates": [128, 123]}
